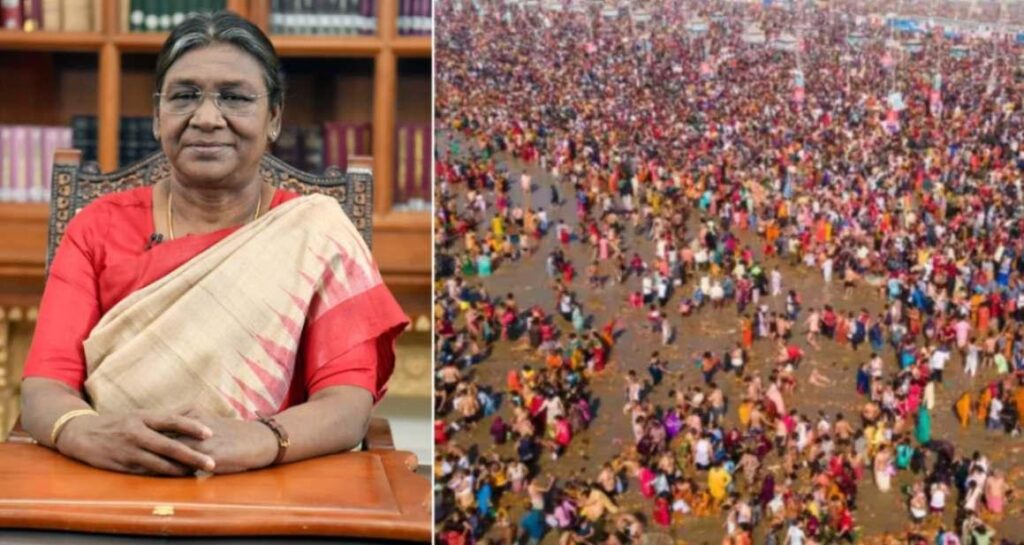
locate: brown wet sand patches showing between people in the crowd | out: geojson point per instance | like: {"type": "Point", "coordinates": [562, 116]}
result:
{"type": "Point", "coordinates": [878, 515]}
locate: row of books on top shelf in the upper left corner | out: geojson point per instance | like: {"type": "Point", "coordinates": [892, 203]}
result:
{"type": "Point", "coordinates": [57, 16]}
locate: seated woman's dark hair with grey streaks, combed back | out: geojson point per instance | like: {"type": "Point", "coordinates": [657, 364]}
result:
{"type": "Point", "coordinates": [204, 30]}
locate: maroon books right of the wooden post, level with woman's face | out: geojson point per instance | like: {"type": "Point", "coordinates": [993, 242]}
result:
{"type": "Point", "coordinates": [414, 154]}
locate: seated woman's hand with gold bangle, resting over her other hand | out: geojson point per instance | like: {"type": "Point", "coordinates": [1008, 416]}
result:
{"type": "Point", "coordinates": [144, 443]}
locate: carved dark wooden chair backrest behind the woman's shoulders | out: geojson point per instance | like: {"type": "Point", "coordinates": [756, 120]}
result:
{"type": "Point", "coordinates": [76, 185]}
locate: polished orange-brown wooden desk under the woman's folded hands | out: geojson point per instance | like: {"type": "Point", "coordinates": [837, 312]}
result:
{"type": "Point", "coordinates": [371, 495]}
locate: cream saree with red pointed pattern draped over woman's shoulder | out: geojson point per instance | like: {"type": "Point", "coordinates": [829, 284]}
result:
{"type": "Point", "coordinates": [222, 333]}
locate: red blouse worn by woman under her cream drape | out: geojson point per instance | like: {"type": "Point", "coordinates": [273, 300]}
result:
{"type": "Point", "coordinates": [106, 256]}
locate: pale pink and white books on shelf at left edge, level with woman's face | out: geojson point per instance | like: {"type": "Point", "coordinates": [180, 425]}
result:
{"type": "Point", "coordinates": [27, 161]}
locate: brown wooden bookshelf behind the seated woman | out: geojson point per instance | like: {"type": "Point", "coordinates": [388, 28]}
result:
{"type": "Point", "coordinates": [50, 77]}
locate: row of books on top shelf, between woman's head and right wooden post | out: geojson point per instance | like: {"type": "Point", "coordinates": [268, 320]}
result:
{"type": "Point", "coordinates": [324, 17]}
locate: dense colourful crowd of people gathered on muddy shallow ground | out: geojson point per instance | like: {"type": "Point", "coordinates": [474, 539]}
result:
{"type": "Point", "coordinates": [696, 286]}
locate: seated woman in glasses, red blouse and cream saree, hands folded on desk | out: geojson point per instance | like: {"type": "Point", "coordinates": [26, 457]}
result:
{"type": "Point", "coordinates": [210, 322]}
